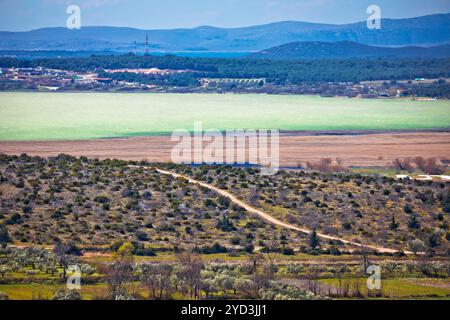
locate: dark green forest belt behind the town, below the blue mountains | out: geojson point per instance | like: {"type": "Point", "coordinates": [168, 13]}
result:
{"type": "Point", "coordinates": [277, 72]}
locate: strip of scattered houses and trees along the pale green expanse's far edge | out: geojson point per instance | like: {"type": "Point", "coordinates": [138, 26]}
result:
{"type": "Point", "coordinates": [47, 79]}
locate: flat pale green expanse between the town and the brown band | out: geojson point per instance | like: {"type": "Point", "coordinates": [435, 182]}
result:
{"type": "Point", "coordinates": [70, 116]}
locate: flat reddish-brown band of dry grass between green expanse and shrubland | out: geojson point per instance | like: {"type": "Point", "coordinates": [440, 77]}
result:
{"type": "Point", "coordinates": [296, 148]}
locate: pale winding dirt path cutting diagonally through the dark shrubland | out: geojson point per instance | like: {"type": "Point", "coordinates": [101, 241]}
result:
{"type": "Point", "coordinates": [271, 219]}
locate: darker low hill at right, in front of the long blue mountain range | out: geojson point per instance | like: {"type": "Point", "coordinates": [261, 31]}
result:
{"type": "Point", "coordinates": [346, 49]}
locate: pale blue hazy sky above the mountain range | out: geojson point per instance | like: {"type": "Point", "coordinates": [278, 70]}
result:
{"type": "Point", "coordinates": [19, 15]}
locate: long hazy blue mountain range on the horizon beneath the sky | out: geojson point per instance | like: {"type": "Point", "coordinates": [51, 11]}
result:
{"type": "Point", "coordinates": [424, 31]}
